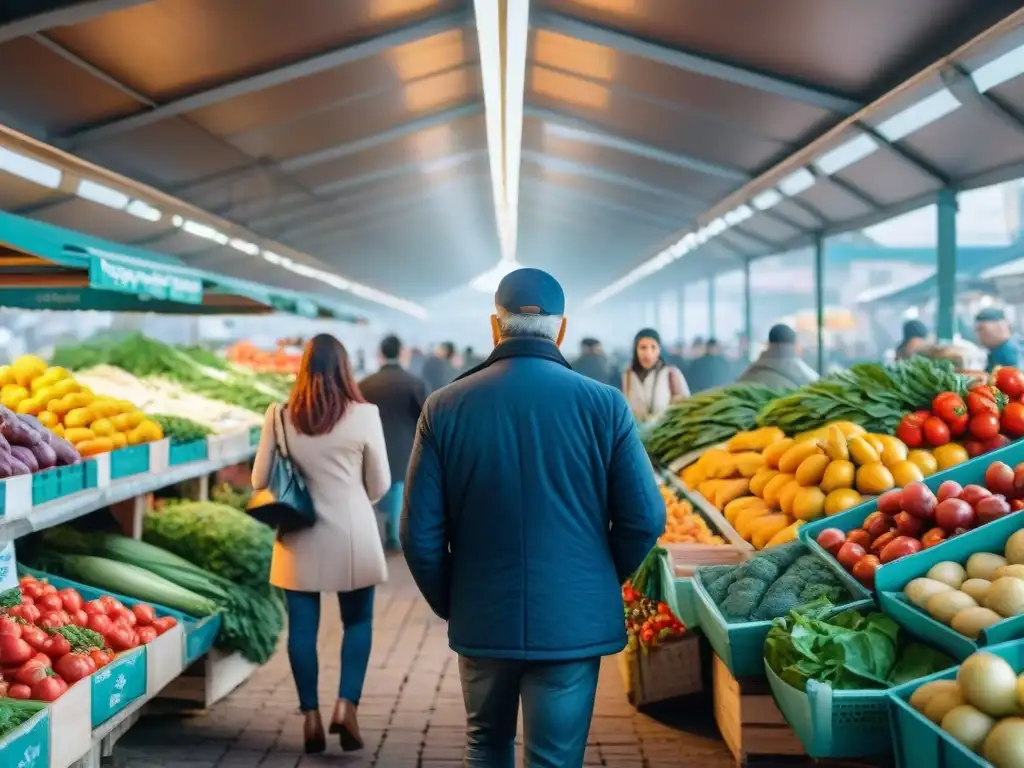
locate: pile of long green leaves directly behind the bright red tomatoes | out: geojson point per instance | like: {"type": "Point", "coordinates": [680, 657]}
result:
{"type": "Point", "coordinates": [871, 395]}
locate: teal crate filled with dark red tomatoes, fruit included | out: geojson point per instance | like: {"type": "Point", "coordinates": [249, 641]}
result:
{"type": "Point", "coordinates": [923, 516]}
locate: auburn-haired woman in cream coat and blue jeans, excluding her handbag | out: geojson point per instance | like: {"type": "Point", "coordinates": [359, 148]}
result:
{"type": "Point", "coordinates": [336, 441]}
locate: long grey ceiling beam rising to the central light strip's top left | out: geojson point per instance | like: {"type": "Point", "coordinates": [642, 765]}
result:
{"type": "Point", "coordinates": [270, 79]}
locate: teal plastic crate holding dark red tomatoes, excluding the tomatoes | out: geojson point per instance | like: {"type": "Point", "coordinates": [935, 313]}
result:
{"type": "Point", "coordinates": [970, 473]}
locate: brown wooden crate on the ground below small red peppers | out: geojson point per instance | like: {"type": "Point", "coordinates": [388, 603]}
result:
{"type": "Point", "coordinates": [666, 672]}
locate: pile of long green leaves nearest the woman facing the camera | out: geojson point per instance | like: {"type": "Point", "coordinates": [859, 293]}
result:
{"type": "Point", "coordinates": [707, 419]}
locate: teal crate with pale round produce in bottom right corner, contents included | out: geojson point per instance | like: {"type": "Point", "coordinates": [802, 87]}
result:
{"type": "Point", "coordinates": [967, 717]}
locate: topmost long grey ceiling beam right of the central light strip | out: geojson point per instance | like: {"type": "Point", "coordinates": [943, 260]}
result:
{"type": "Point", "coordinates": [699, 64]}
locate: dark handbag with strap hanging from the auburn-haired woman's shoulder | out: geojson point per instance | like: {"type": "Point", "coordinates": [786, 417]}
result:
{"type": "Point", "coordinates": [285, 504]}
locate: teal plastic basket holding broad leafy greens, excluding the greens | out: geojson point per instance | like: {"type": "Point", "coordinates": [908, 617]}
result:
{"type": "Point", "coordinates": [836, 723]}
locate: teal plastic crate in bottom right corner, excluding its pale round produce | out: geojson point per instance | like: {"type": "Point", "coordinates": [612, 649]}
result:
{"type": "Point", "coordinates": [918, 742]}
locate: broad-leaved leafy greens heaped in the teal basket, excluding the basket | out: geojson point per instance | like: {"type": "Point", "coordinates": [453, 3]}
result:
{"type": "Point", "coordinates": [848, 652]}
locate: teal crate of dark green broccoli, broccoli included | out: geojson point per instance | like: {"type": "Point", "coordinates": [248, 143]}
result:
{"type": "Point", "coordinates": [737, 605]}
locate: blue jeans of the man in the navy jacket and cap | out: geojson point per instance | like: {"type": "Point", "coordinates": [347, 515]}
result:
{"type": "Point", "coordinates": [558, 706]}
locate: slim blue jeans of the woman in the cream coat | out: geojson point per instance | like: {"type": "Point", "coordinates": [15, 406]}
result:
{"type": "Point", "coordinates": [304, 624]}
